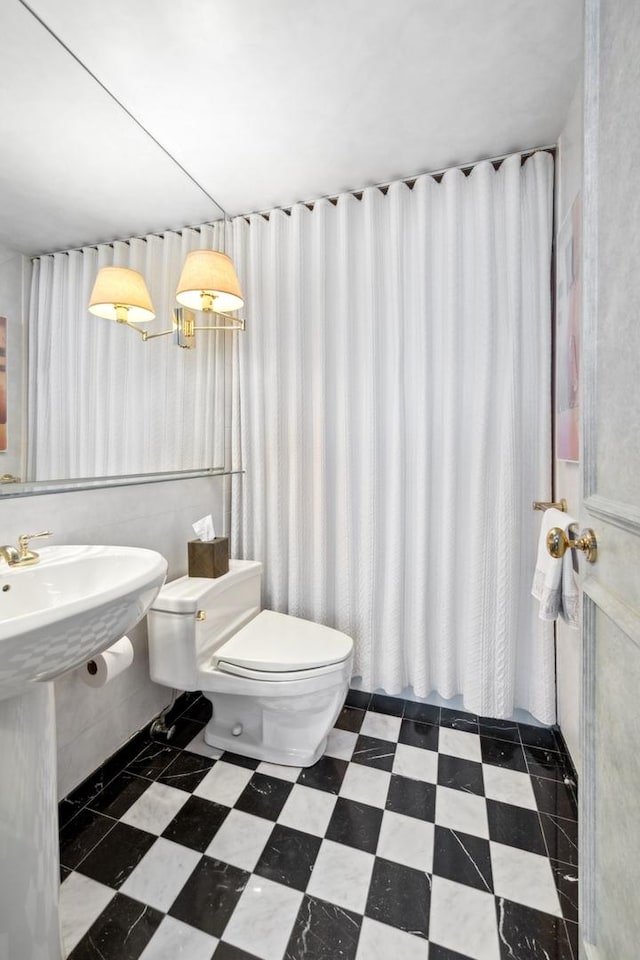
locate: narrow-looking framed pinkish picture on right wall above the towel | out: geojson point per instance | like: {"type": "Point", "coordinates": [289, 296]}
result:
{"type": "Point", "coordinates": [568, 308]}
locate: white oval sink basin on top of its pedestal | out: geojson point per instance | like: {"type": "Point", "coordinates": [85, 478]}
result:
{"type": "Point", "coordinates": [69, 607]}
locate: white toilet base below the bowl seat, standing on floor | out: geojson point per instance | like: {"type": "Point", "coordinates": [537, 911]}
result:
{"type": "Point", "coordinates": [289, 730]}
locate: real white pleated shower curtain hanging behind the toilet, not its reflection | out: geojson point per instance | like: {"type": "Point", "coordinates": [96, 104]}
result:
{"type": "Point", "coordinates": [392, 414]}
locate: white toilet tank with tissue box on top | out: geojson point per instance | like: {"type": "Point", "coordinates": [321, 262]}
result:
{"type": "Point", "coordinates": [192, 616]}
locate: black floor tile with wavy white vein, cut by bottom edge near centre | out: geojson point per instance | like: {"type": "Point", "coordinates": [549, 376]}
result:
{"type": "Point", "coordinates": [323, 931]}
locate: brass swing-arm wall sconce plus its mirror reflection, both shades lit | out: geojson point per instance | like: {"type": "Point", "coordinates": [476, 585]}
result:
{"type": "Point", "coordinates": [208, 284]}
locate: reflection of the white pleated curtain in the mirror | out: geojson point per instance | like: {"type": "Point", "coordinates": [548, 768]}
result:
{"type": "Point", "coordinates": [103, 402]}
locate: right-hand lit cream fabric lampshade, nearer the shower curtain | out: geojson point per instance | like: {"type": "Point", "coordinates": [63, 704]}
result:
{"type": "Point", "coordinates": [209, 282]}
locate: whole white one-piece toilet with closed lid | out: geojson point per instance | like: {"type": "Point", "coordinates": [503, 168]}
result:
{"type": "Point", "coordinates": [277, 683]}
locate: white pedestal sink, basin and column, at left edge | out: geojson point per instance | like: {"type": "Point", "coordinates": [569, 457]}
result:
{"type": "Point", "coordinates": [53, 617]}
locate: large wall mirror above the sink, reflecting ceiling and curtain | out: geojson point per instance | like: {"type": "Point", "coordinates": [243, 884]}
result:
{"type": "Point", "coordinates": [89, 403]}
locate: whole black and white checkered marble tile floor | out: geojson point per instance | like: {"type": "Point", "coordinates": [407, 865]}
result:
{"type": "Point", "coordinates": [422, 834]}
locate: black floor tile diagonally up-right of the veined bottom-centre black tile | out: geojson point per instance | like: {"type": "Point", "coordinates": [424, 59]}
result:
{"type": "Point", "coordinates": [400, 896]}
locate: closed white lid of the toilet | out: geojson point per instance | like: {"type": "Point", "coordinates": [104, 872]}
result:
{"type": "Point", "coordinates": [277, 642]}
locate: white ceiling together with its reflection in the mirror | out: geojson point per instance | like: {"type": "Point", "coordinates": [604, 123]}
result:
{"type": "Point", "coordinates": [263, 102]}
